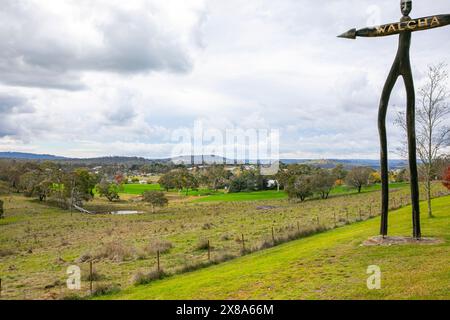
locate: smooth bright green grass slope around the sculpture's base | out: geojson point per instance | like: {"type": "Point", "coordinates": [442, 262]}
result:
{"type": "Point", "coordinates": [331, 265]}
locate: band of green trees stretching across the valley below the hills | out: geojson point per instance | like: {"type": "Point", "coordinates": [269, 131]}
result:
{"type": "Point", "coordinates": [68, 186]}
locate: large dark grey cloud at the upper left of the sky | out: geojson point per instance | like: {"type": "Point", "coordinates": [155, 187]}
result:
{"type": "Point", "coordinates": [38, 48]}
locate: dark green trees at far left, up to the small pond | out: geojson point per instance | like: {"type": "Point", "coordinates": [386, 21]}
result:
{"type": "Point", "coordinates": [64, 185]}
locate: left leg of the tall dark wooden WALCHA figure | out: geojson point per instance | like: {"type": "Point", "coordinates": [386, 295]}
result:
{"type": "Point", "coordinates": [392, 78]}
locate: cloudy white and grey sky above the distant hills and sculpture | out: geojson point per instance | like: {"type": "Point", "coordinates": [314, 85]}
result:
{"type": "Point", "coordinates": [107, 77]}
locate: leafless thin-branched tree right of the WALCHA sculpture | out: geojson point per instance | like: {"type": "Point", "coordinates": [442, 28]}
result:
{"type": "Point", "coordinates": [432, 133]}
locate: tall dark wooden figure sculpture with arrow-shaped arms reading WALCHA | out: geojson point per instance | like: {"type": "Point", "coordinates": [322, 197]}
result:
{"type": "Point", "coordinates": [400, 68]}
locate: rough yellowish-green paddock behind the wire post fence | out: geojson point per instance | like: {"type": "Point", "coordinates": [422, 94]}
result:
{"type": "Point", "coordinates": [39, 241]}
